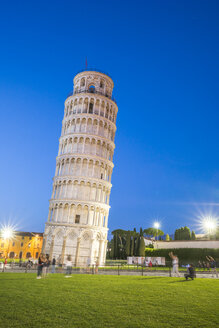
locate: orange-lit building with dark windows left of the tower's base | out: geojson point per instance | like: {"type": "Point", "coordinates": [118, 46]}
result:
{"type": "Point", "coordinates": [23, 245]}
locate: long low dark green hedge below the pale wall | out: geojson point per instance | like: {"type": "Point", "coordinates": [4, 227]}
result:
{"type": "Point", "coordinates": [185, 255]}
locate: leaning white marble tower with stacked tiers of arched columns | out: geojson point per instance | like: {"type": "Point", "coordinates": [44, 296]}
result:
{"type": "Point", "coordinates": [79, 206]}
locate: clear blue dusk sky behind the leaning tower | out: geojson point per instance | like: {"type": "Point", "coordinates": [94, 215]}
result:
{"type": "Point", "coordinates": [163, 58]}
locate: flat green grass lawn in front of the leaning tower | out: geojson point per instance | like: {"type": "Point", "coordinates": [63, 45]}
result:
{"type": "Point", "coordinates": [107, 301]}
